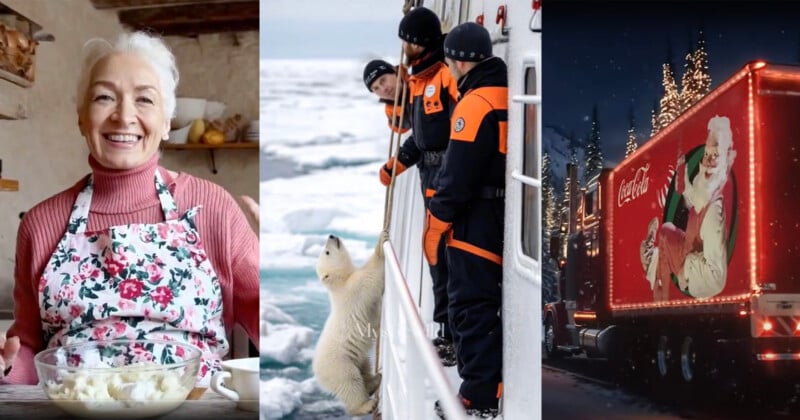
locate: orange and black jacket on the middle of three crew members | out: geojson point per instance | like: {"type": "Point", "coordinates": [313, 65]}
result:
{"type": "Point", "coordinates": [432, 97]}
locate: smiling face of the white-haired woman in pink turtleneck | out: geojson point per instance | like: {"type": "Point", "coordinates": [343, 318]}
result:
{"type": "Point", "coordinates": [122, 117]}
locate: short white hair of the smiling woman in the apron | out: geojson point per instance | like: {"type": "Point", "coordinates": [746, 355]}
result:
{"type": "Point", "coordinates": [150, 48]}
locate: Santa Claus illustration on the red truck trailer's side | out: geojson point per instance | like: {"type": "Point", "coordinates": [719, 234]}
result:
{"type": "Point", "coordinates": [696, 255]}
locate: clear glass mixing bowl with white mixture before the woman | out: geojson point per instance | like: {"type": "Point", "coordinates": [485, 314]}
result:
{"type": "Point", "coordinates": [120, 378]}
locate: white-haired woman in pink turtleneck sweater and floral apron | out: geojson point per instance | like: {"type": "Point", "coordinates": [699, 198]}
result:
{"type": "Point", "coordinates": [132, 250]}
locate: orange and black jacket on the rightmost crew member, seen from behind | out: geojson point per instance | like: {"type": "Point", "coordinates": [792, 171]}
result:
{"type": "Point", "coordinates": [471, 185]}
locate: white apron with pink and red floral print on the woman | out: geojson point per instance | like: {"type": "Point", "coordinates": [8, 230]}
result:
{"type": "Point", "coordinates": [137, 281]}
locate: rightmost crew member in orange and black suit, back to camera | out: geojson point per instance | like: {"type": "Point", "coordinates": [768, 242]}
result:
{"type": "Point", "coordinates": [469, 208]}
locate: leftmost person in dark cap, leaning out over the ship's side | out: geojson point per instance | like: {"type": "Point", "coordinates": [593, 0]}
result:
{"type": "Point", "coordinates": [380, 77]}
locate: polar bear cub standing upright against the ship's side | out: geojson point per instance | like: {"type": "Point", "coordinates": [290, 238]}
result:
{"type": "Point", "coordinates": [341, 360]}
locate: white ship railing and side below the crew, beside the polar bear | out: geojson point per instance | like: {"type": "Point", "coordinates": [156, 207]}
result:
{"type": "Point", "coordinates": [413, 376]}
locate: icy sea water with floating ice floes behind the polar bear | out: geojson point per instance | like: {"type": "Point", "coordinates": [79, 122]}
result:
{"type": "Point", "coordinates": [323, 140]}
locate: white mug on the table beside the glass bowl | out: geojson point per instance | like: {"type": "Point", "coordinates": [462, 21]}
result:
{"type": "Point", "coordinates": [239, 380]}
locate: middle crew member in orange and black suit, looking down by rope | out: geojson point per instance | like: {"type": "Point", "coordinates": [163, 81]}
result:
{"type": "Point", "coordinates": [432, 98]}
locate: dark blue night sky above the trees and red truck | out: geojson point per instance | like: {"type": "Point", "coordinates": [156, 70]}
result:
{"type": "Point", "coordinates": [610, 54]}
